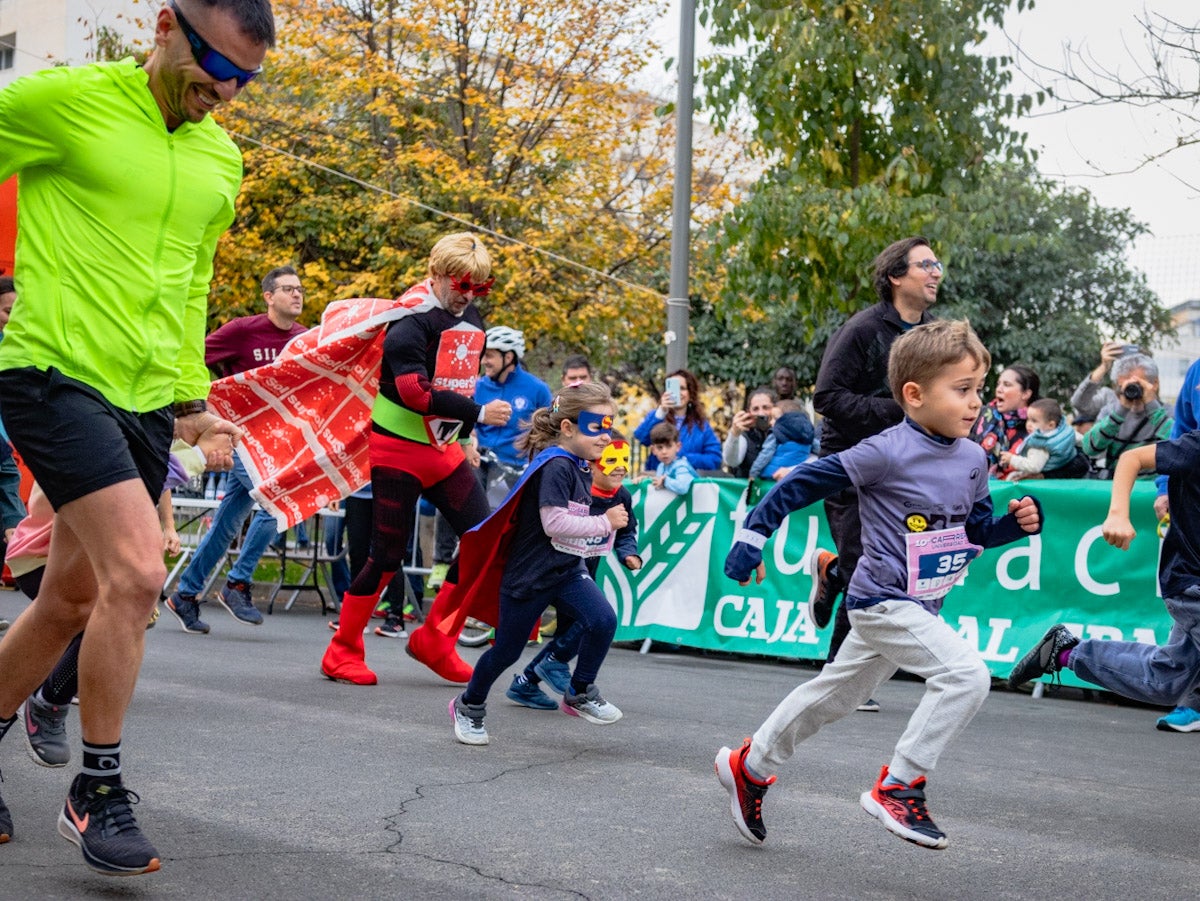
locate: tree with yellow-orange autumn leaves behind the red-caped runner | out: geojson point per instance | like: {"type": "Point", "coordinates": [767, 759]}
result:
{"type": "Point", "coordinates": [375, 118]}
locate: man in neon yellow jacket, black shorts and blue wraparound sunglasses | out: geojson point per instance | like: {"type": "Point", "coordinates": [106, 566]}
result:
{"type": "Point", "coordinates": [125, 187]}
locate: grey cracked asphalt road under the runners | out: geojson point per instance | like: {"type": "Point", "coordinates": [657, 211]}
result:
{"type": "Point", "coordinates": [263, 780]}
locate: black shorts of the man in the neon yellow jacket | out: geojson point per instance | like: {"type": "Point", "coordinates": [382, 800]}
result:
{"type": "Point", "coordinates": [75, 442]}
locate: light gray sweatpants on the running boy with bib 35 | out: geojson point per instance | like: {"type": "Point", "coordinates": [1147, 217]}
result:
{"type": "Point", "coordinates": [884, 639]}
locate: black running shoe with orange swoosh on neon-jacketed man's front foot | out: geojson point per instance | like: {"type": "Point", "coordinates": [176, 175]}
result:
{"type": "Point", "coordinates": [99, 818]}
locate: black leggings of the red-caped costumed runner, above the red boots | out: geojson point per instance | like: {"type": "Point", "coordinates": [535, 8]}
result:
{"type": "Point", "coordinates": [397, 495]}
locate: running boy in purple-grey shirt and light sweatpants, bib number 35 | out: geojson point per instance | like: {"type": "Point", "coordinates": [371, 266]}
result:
{"type": "Point", "coordinates": [927, 513]}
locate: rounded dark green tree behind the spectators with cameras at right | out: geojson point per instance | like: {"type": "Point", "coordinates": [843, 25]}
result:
{"type": "Point", "coordinates": [1040, 271]}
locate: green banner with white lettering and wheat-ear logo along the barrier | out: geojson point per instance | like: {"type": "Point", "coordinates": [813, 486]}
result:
{"type": "Point", "coordinates": [1006, 603]}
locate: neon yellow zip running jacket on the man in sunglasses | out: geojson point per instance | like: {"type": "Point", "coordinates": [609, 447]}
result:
{"type": "Point", "coordinates": [118, 221]}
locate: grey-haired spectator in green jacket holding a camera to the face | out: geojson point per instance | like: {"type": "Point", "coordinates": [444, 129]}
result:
{"type": "Point", "coordinates": [1137, 419]}
